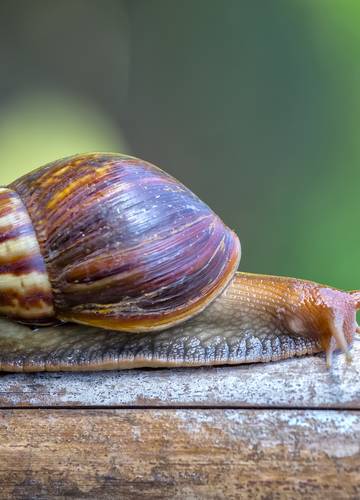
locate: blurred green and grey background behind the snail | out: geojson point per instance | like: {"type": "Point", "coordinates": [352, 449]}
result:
{"type": "Point", "coordinates": [255, 105]}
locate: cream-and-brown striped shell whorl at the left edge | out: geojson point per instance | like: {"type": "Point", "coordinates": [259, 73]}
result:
{"type": "Point", "coordinates": [25, 291]}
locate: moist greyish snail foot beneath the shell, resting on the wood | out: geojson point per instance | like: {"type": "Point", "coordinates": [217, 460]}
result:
{"type": "Point", "coordinates": [73, 347]}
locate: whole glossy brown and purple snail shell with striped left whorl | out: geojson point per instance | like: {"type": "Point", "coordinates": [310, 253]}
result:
{"type": "Point", "coordinates": [111, 241]}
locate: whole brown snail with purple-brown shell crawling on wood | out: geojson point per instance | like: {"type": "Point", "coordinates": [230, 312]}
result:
{"type": "Point", "coordinates": [133, 270]}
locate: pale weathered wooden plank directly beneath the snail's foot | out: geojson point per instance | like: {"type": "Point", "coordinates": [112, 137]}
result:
{"type": "Point", "coordinates": [295, 383]}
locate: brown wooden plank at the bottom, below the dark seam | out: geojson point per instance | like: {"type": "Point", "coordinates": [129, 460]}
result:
{"type": "Point", "coordinates": [179, 454]}
